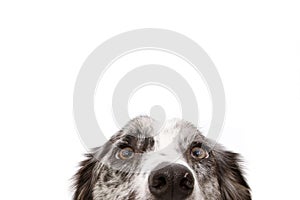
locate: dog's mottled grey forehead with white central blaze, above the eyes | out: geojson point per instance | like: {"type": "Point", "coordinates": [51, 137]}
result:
{"type": "Point", "coordinates": [175, 132]}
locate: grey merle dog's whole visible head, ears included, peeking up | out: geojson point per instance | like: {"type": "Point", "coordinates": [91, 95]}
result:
{"type": "Point", "coordinates": [146, 161]}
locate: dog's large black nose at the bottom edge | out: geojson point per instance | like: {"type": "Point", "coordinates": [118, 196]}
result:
{"type": "Point", "coordinates": [171, 181]}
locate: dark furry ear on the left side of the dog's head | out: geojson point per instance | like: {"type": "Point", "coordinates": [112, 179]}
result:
{"type": "Point", "coordinates": [85, 179]}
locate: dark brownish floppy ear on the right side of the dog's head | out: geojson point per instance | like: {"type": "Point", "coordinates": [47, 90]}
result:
{"type": "Point", "coordinates": [233, 185]}
